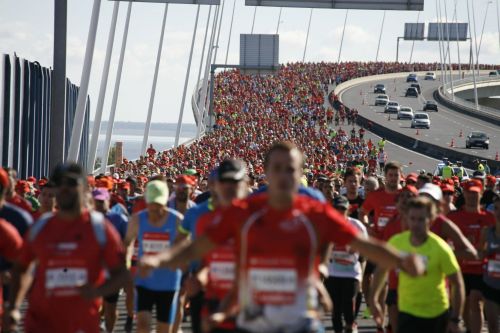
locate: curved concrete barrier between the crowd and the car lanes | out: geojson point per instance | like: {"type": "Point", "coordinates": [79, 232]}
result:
{"type": "Point", "coordinates": [406, 141]}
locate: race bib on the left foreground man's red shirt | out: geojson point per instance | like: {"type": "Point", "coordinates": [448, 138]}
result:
{"type": "Point", "coordinates": [65, 278]}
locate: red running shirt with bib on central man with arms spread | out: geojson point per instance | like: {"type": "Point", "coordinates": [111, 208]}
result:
{"type": "Point", "coordinates": [278, 257]}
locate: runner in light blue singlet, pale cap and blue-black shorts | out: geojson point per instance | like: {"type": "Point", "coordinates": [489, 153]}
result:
{"type": "Point", "coordinates": [155, 228]}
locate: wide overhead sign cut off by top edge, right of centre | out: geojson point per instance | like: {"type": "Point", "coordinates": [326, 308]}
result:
{"type": "Point", "coordinates": [343, 4]}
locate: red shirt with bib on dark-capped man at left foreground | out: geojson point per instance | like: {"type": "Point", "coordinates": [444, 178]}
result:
{"type": "Point", "coordinates": [68, 255]}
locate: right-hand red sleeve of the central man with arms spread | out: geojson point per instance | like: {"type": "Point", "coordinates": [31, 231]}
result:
{"type": "Point", "coordinates": [335, 228]}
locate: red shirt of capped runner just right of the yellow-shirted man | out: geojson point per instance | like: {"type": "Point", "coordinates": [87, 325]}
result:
{"type": "Point", "coordinates": [471, 225]}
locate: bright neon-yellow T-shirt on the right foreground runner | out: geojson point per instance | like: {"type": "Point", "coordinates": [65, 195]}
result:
{"type": "Point", "coordinates": [425, 296]}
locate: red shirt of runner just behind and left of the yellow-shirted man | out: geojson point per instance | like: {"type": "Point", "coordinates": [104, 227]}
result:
{"type": "Point", "coordinates": [383, 205]}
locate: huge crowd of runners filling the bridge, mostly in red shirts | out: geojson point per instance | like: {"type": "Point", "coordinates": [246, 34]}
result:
{"type": "Point", "coordinates": [255, 233]}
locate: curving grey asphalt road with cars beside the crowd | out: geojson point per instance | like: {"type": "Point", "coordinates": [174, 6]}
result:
{"type": "Point", "coordinates": [446, 125]}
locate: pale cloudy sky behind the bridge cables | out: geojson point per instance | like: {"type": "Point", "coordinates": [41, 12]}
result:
{"type": "Point", "coordinates": [26, 27]}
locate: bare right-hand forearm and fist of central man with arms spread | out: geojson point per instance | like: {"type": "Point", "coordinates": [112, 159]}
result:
{"type": "Point", "coordinates": [386, 256]}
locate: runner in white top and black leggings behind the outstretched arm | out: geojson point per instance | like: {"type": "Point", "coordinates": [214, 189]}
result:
{"type": "Point", "coordinates": [345, 270]}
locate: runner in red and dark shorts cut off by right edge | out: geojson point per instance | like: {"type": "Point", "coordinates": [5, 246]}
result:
{"type": "Point", "coordinates": [490, 246]}
